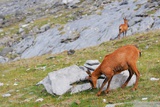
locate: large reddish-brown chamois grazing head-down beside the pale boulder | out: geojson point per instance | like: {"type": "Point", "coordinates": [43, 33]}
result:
{"type": "Point", "coordinates": [124, 58]}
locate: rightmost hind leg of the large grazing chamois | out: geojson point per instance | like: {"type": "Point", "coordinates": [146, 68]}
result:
{"type": "Point", "coordinates": [135, 70]}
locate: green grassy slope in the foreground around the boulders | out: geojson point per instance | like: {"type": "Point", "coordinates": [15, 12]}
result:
{"type": "Point", "coordinates": [25, 74]}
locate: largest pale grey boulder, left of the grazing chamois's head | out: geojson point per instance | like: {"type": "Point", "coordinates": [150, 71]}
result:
{"type": "Point", "coordinates": [59, 82]}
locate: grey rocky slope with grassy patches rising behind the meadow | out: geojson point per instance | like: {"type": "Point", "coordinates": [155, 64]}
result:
{"type": "Point", "coordinates": [31, 28]}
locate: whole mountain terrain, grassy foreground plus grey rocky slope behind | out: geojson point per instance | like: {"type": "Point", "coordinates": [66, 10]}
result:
{"type": "Point", "coordinates": [41, 36]}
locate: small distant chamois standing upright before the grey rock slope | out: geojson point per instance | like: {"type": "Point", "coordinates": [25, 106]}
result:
{"type": "Point", "coordinates": [123, 28]}
